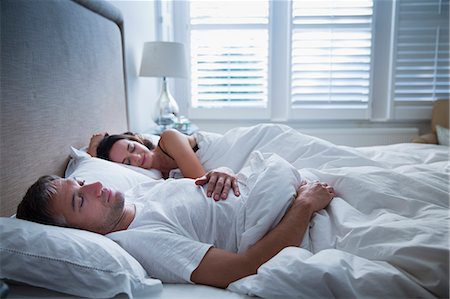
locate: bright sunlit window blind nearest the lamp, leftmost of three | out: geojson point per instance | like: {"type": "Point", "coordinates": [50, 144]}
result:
{"type": "Point", "coordinates": [229, 53]}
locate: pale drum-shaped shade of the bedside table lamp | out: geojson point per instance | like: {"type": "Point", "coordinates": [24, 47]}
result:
{"type": "Point", "coordinates": [163, 59]}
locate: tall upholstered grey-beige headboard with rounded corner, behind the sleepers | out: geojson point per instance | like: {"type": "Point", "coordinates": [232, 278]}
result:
{"type": "Point", "coordinates": [62, 79]}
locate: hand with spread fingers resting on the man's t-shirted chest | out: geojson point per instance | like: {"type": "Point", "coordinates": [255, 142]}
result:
{"type": "Point", "coordinates": [219, 181]}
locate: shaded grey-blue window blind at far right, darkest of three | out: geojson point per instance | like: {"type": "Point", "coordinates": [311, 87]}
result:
{"type": "Point", "coordinates": [422, 51]}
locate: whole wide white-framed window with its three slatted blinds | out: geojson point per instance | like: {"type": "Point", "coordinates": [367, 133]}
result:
{"type": "Point", "coordinates": [314, 59]}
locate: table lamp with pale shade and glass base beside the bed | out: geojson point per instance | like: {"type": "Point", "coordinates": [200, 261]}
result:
{"type": "Point", "coordinates": [164, 59]}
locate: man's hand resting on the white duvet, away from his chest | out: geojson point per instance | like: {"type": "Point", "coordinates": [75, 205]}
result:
{"type": "Point", "coordinates": [316, 195]}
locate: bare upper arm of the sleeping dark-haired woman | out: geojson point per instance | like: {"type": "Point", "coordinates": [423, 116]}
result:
{"type": "Point", "coordinates": [177, 145]}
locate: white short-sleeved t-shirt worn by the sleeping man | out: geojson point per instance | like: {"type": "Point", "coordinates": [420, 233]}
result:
{"type": "Point", "coordinates": [175, 225]}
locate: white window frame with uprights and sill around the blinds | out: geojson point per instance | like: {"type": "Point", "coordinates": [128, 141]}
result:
{"type": "Point", "coordinates": [380, 106]}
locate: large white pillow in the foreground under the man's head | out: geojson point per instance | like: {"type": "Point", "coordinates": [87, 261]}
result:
{"type": "Point", "coordinates": [71, 261]}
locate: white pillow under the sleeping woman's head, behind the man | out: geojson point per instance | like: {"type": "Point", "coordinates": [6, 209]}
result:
{"type": "Point", "coordinates": [113, 175]}
